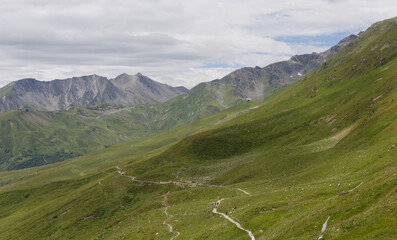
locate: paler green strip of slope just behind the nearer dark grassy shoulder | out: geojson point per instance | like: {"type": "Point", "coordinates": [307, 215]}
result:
{"type": "Point", "coordinates": [117, 154]}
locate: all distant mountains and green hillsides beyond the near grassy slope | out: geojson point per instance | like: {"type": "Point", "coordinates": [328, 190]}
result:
{"type": "Point", "coordinates": [78, 131]}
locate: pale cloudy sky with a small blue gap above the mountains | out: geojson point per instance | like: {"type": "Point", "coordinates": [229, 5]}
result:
{"type": "Point", "coordinates": [178, 42]}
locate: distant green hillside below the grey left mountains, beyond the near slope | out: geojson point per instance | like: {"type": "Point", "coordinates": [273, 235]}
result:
{"type": "Point", "coordinates": [38, 138]}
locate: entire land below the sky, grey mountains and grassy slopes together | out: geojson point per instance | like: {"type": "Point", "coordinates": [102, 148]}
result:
{"type": "Point", "coordinates": [299, 149]}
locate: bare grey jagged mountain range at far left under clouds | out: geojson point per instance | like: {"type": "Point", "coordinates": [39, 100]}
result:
{"type": "Point", "coordinates": [86, 91]}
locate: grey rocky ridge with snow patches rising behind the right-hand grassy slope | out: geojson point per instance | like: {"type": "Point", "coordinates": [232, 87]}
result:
{"type": "Point", "coordinates": [256, 83]}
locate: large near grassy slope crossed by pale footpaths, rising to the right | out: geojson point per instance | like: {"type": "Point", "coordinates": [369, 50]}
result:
{"type": "Point", "coordinates": [312, 141]}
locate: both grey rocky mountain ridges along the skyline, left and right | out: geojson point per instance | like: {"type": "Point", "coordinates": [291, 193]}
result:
{"type": "Point", "coordinates": [127, 90]}
